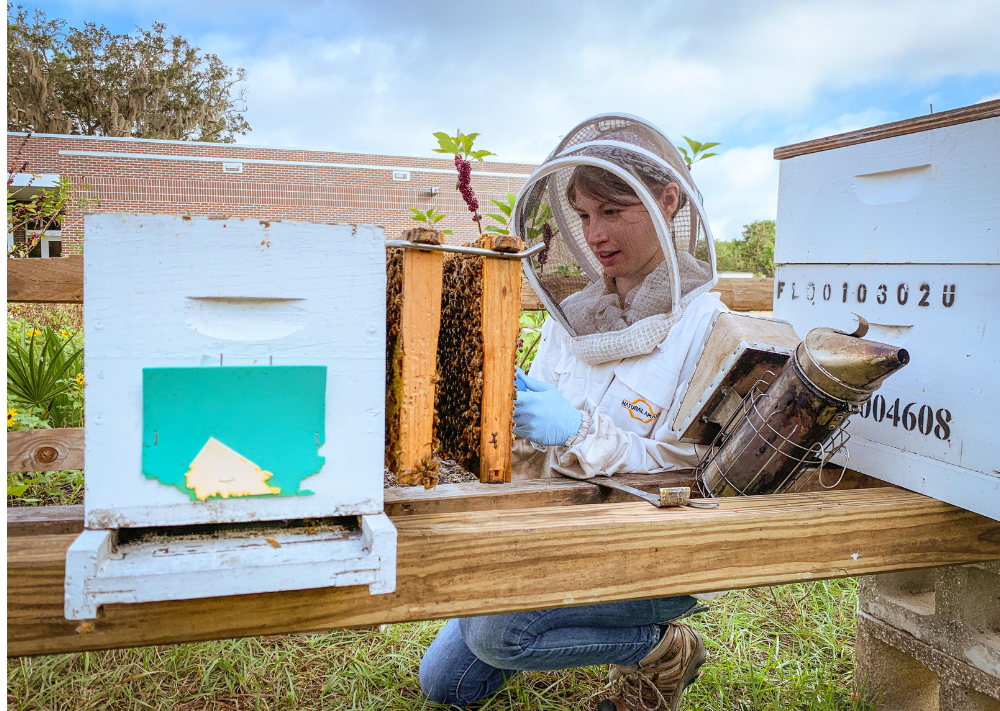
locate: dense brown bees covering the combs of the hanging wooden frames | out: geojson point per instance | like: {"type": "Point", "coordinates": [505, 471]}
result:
{"type": "Point", "coordinates": [459, 392]}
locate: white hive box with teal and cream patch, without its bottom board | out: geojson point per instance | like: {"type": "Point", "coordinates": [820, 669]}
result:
{"type": "Point", "coordinates": [255, 348]}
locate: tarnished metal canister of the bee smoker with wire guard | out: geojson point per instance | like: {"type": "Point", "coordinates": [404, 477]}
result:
{"type": "Point", "coordinates": [797, 421]}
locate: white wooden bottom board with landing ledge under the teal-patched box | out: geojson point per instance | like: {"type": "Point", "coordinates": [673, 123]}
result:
{"type": "Point", "coordinates": [192, 567]}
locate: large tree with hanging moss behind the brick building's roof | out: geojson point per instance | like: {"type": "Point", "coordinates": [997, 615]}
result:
{"type": "Point", "coordinates": [93, 82]}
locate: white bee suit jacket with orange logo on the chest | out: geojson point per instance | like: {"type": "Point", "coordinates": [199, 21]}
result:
{"type": "Point", "coordinates": [626, 403]}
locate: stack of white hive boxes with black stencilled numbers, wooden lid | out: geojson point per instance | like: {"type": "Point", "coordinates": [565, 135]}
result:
{"type": "Point", "coordinates": [904, 230]}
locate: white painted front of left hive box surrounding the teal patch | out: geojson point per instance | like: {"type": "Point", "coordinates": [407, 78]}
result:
{"type": "Point", "coordinates": [161, 290]}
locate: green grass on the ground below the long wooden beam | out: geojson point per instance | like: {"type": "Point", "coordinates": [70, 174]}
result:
{"type": "Point", "coordinates": [788, 647]}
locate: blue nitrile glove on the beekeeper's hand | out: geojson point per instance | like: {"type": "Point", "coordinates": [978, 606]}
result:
{"type": "Point", "coordinates": [541, 413]}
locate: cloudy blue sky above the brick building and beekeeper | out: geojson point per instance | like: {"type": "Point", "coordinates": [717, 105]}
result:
{"type": "Point", "coordinates": [381, 76]}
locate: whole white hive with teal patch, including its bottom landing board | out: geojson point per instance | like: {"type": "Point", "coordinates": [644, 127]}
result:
{"type": "Point", "coordinates": [235, 375]}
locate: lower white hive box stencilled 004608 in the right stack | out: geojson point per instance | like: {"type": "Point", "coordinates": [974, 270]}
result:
{"type": "Point", "coordinates": [953, 356]}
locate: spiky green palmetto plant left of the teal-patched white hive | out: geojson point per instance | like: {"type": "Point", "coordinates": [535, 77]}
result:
{"type": "Point", "coordinates": [42, 368]}
